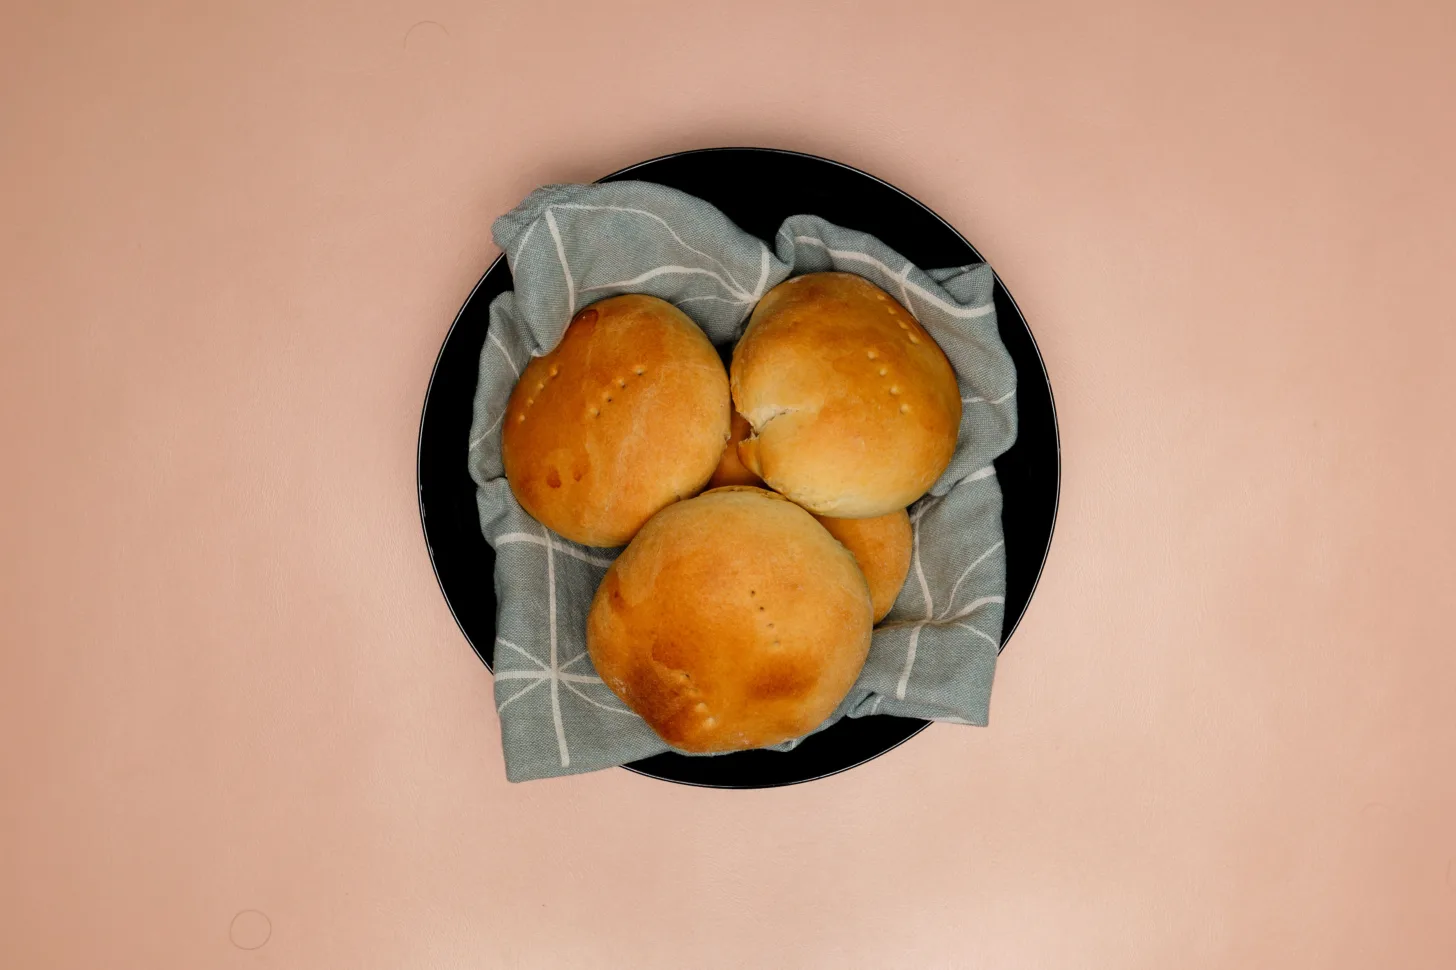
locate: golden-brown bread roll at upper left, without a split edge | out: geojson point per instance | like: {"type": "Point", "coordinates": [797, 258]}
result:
{"type": "Point", "coordinates": [628, 414]}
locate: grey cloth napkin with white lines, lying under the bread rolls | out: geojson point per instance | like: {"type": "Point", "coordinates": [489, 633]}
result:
{"type": "Point", "coordinates": [571, 245]}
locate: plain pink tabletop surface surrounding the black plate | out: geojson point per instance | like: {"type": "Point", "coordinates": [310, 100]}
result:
{"type": "Point", "coordinates": [234, 706]}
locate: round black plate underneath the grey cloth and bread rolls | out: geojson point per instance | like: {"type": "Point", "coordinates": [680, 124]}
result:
{"type": "Point", "coordinates": [758, 189]}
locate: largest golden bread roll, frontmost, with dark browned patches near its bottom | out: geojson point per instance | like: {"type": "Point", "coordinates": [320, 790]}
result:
{"type": "Point", "coordinates": [733, 621]}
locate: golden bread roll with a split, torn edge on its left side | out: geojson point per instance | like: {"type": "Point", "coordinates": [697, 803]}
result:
{"type": "Point", "coordinates": [854, 407]}
